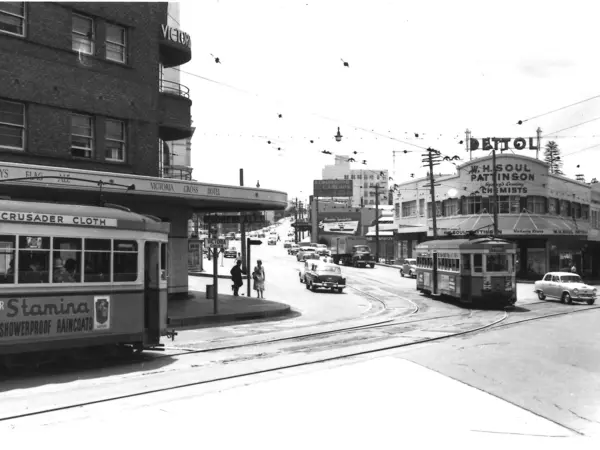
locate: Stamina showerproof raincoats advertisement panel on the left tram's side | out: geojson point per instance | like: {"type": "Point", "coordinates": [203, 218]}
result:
{"type": "Point", "coordinates": [25, 317]}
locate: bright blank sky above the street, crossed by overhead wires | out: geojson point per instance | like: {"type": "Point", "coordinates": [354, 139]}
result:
{"type": "Point", "coordinates": [432, 68]}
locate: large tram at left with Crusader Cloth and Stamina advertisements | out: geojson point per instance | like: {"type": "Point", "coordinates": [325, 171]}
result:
{"type": "Point", "coordinates": [75, 277]}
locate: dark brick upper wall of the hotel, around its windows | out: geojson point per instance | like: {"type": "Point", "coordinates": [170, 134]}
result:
{"type": "Point", "coordinates": [42, 71]}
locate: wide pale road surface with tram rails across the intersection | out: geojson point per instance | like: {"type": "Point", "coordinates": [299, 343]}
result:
{"type": "Point", "coordinates": [419, 362]}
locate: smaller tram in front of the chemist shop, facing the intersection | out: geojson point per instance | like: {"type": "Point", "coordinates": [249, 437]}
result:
{"type": "Point", "coordinates": [478, 271]}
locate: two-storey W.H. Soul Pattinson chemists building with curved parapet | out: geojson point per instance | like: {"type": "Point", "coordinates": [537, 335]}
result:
{"type": "Point", "coordinates": [553, 219]}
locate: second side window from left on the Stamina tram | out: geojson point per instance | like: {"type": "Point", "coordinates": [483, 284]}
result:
{"type": "Point", "coordinates": [34, 259]}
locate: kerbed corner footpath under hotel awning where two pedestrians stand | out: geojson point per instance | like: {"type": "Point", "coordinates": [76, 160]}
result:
{"type": "Point", "coordinates": [197, 309]}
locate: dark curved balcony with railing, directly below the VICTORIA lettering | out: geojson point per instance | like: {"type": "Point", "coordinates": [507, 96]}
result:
{"type": "Point", "coordinates": [175, 117]}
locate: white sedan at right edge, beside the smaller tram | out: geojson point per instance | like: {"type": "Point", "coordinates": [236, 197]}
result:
{"type": "Point", "coordinates": [566, 287]}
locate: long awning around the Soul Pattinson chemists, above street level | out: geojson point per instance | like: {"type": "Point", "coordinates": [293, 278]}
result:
{"type": "Point", "coordinates": [523, 224]}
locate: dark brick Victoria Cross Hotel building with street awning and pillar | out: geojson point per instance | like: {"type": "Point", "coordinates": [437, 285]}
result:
{"type": "Point", "coordinates": [85, 115]}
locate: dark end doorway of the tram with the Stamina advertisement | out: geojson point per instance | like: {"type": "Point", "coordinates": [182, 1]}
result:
{"type": "Point", "coordinates": [152, 291]}
